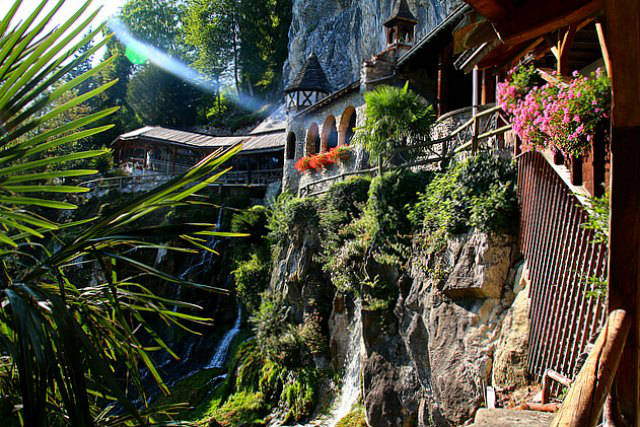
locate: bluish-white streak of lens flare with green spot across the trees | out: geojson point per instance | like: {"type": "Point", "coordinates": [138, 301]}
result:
{"type": "Point", "coordinates": [139, 53]}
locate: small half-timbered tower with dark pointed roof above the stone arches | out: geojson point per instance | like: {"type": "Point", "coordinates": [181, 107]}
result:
{"type": "Point", "coordinates": [309, 86]}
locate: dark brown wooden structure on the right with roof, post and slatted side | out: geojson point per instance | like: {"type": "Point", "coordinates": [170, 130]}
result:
{"type": "Point", "coordinates": [567, 36]}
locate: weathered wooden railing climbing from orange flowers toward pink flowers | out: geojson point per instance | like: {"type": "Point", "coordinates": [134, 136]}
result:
{"type": "Point", "coordinates": [425, 152]}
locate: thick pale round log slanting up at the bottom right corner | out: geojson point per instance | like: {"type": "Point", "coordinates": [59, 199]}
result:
{"type": "Point", "coordinates": [584, 402]}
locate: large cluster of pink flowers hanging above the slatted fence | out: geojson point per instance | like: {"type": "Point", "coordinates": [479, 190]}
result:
{"type": "Point", "coordinates": [562, 116]}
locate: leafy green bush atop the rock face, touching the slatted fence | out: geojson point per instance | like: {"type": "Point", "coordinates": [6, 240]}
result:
{"type": "Point", "coordinates": [478, 192]}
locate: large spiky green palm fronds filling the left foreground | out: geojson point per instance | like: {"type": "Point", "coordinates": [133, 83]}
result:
{"type": "Point", "coordinates": [66, 346]}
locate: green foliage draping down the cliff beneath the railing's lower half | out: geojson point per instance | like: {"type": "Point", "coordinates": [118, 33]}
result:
{"type": "Point", "coordinates": [361, 252]}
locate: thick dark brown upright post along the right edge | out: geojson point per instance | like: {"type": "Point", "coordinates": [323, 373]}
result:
{"type": "Point", "coordinates": [623, 41]}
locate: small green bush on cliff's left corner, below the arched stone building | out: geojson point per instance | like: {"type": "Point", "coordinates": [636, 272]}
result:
{"type": "Point", "coordinates": [291, 213]}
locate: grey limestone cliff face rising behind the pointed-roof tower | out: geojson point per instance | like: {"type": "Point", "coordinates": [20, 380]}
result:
{"type": "Point", "coordinates": [344, 33]}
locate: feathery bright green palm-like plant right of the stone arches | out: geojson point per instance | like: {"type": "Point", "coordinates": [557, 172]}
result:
{"type": "Point", "coordinates": [393, 116]}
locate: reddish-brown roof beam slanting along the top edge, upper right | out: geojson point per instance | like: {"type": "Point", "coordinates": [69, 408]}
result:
{"type": "Point", "coordinates": [535, 19]}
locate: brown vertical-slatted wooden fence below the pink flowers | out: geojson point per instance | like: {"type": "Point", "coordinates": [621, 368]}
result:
{"type": "Point", "coordinates": [561, 256]}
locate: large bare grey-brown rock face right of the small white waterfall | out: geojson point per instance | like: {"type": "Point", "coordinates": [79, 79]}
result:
{"type": "Point", "coordinates": [429, 361]}
